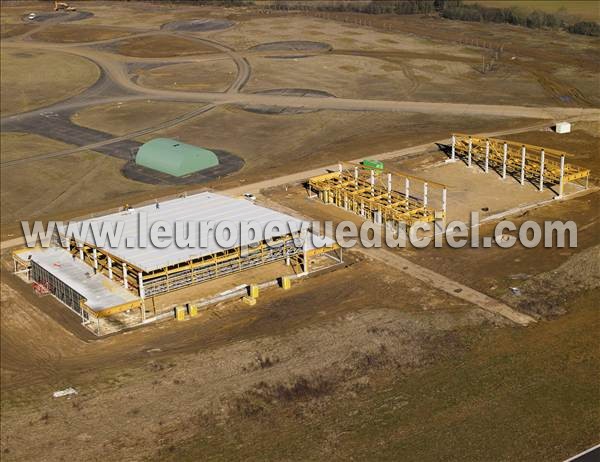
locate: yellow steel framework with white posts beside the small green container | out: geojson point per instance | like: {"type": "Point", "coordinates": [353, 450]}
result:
{"type": "Point", "coordinates": [376, 195]}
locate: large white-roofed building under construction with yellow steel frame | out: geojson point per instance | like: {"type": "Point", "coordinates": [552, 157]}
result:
{"type": "Point", "coordinates": [99, 281]}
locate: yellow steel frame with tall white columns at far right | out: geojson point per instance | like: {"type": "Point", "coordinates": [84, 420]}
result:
{"type": "Point", "coordinates": [524, 162]}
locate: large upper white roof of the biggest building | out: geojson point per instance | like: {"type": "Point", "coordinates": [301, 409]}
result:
{"type": "Point", "coordinates": [203, 207]}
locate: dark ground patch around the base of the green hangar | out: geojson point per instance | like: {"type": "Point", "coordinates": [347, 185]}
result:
{"type": "Point", "coordinates": [228, 164]}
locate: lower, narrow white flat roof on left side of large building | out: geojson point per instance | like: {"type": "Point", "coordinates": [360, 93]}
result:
{"type": "Point", "coordinates": [99, 291]}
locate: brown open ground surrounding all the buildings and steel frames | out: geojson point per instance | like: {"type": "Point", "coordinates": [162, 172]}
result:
{"type": "Point", "coordinates": [362, 361]}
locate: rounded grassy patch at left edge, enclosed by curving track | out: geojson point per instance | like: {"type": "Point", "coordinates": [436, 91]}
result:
{"type": "Point", "coordinates": [31, 79]}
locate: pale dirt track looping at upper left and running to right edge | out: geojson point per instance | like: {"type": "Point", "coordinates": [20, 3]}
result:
{"type": "Point", "coordinates": [115, 73]}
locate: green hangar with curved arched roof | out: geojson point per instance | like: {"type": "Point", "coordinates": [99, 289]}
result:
{"type": "Point", "coordinates": [174, 157]}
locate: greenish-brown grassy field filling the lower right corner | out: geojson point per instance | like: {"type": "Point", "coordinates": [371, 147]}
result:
{"type": "Point", "coordinates": [482, 404]}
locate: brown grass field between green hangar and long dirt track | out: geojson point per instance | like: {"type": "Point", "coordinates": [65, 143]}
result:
{"type": "Point", "coordinates": [296, 141]}
